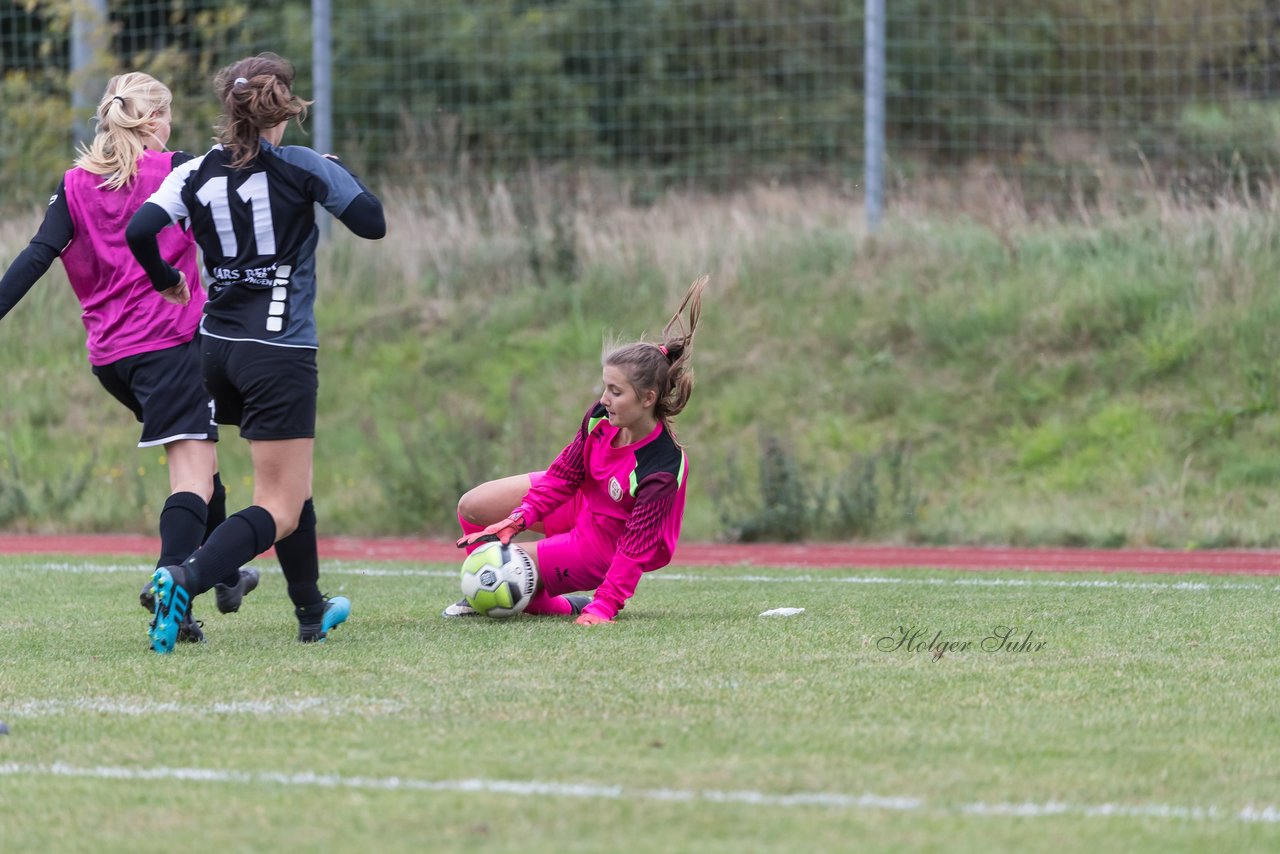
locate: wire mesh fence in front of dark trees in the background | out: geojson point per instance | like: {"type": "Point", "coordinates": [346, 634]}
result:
{"type": "Point", "coordinates": [1057, 97]}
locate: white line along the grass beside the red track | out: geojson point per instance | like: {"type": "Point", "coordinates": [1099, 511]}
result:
{"type": "Point", "coordinates": [966, 581]}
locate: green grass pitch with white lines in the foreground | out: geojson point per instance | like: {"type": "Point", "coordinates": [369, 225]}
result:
{"type": "Point", "coordinates": [1146, 721]}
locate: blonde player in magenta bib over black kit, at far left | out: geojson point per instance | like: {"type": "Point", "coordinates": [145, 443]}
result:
{"type": "Point", "coordinates": [141, 348]}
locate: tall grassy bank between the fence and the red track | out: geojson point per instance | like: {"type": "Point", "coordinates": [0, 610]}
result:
{"type": "Point", "coordinates": [972, 375]}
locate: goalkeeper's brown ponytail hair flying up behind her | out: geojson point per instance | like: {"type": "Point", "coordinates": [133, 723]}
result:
{"type": "Point", "coordinates": [666, 368]}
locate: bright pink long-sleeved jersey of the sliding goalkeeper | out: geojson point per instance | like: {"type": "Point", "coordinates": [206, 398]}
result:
{"type": "Point", "coordinates": [633, 501]}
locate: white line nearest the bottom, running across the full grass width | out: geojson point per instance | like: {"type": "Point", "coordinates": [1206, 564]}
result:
{"type": "Point", "coordinates": [1267, 815]}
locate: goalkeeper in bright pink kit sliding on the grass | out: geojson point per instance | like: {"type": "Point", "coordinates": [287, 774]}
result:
{"type": "Point", "coordinates": [612, 503]}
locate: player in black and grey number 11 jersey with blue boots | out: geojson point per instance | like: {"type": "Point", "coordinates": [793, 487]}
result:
{"type": "Point", "coordinates": [252, 205]}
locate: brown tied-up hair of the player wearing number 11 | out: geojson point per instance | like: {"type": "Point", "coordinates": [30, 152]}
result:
{"type": "Point", "coordinates": [257, 94]}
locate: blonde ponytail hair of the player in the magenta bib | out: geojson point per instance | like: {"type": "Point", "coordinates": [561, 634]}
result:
{"type": "Point", "coordinates": [125, 115]}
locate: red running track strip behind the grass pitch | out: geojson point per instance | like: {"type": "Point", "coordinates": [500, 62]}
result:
{"type": "Point", "coordinates": [762, 555]}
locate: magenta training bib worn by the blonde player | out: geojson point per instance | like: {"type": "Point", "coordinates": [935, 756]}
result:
{"type": "Point", "coordinates": [122, 313]}
